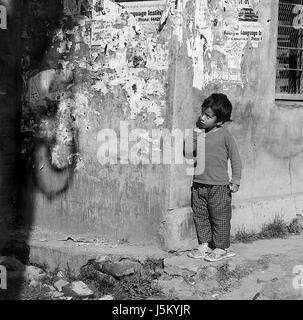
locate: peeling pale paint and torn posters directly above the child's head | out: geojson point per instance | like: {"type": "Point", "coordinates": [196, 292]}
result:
{"type": "Point", "coordinates": [219, 34]}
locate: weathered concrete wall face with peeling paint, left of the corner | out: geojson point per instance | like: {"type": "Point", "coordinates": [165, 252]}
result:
{"type": "Point", "coordinates": [93, 74]}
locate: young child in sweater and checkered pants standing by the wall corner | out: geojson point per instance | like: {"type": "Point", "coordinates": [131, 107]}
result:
{"type": "Point", "coordinates": [211, 190]}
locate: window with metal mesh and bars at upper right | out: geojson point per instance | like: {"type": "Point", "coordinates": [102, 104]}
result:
{"type": "Point", "coordinates": [289, 67]}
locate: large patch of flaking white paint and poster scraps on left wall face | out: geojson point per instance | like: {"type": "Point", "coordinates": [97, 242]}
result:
{"type": "Point", "coordinates": [99, 49]}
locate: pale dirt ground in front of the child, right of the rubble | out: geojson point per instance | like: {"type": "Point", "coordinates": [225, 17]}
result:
{"type": "Point", "coordinates": [261, 270]}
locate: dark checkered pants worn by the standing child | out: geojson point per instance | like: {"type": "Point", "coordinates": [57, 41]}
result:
{"type": "Point", "coordinates": [211, 207]}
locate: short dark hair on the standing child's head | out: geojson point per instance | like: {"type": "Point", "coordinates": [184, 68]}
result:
{"type": "Point", "coordinates": [220, 105]}
